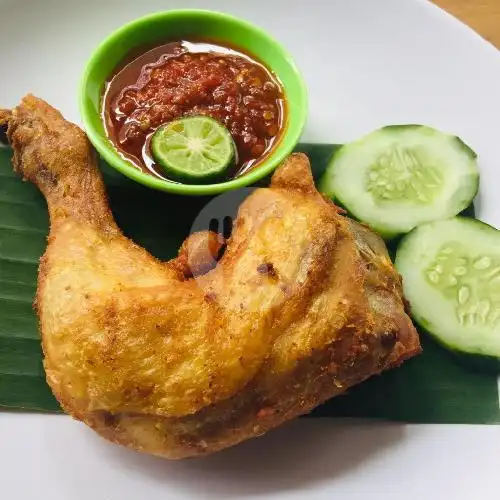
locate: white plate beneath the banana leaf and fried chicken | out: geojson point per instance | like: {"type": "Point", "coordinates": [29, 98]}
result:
{"type": "Point", "coordinates": [367, 63]}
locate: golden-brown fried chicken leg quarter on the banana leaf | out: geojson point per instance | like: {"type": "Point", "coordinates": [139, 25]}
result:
{"type": "Point", "coordinates": [303, 304]}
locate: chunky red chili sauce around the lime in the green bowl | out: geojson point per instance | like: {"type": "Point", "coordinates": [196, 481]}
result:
{"type": "Point", "coordinates": [191, 78]}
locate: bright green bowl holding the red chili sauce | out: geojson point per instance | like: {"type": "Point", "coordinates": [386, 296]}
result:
{"type": "Point", "coordinates": [183, 25]}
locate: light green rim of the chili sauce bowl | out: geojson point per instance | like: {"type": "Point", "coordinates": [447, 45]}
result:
{"type": "Point", "coordinates": [107, 150]}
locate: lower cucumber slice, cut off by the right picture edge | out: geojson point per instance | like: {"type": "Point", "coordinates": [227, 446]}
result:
{"type": "Point", "coordinates": [451, 278]}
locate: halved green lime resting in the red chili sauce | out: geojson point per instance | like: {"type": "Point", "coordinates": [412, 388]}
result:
{"type": "Point", "coordinates": [195, 149]}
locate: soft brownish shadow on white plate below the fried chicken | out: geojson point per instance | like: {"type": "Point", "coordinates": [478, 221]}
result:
{"type": "Point", "coordinates": [289, 458]}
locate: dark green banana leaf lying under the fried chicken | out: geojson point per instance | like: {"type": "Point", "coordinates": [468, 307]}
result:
{"type": "Point", "coordinates": [434, 387]}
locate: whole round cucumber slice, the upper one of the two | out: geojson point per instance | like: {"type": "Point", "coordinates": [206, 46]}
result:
{"type": "Point", "coordinates": [401, 176]}
